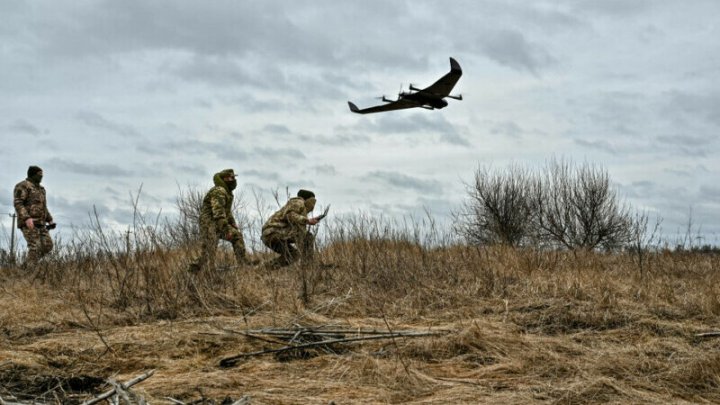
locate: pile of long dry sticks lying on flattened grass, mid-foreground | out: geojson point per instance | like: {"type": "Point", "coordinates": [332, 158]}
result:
{"type": "Point", "coordinates": [305, 342]}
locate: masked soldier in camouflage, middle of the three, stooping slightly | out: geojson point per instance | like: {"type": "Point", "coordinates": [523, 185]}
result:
{"type": "Point", "coordinates": [217, 222]}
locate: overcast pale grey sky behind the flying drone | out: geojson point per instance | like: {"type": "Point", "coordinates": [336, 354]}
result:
{"type": "Point", "coordinates": [107, 96]}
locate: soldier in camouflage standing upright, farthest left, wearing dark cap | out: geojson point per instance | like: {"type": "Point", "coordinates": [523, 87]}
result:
{"type": "Point", "coordinates": [34, 219]}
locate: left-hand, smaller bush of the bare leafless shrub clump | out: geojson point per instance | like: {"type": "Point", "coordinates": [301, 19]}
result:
{"type": "Point", "coordinates": [498, 209]}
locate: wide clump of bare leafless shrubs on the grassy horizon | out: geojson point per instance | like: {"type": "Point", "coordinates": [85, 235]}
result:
{"type": "Point", "coordinates": [562, 206]}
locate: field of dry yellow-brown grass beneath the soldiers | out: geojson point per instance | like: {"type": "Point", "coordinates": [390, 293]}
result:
{"type": "Point", "coordinates": [514, 326]}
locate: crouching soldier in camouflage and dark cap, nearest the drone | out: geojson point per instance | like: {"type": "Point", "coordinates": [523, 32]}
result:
{"type": "Point", "coordinates": [287, 227]}
